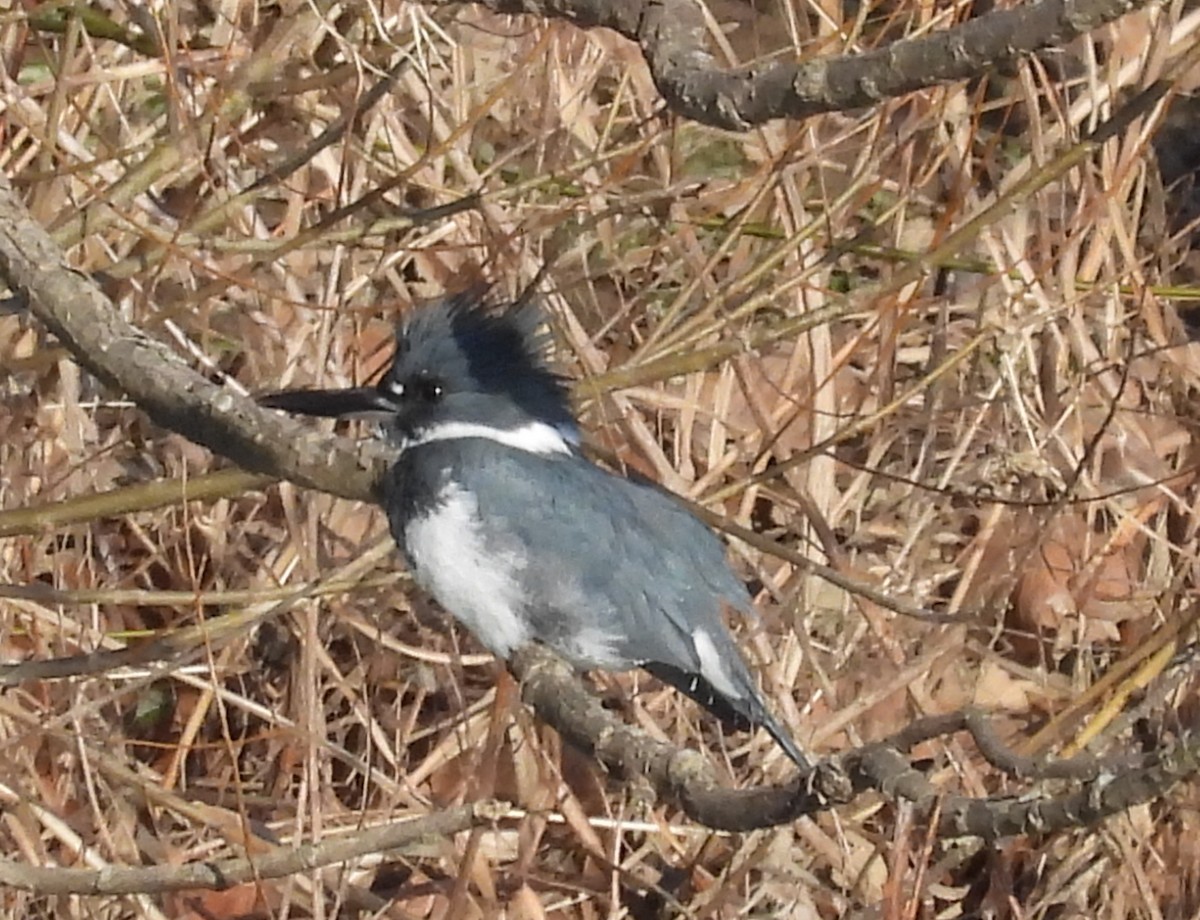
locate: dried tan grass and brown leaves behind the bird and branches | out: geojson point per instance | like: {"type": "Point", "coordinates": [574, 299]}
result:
{"type": "Point", "coordinates": [1010, 442]}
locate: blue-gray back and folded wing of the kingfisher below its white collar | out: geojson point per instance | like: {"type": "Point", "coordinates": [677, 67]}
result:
{"type": "Point", "coordinates": [604, 557]}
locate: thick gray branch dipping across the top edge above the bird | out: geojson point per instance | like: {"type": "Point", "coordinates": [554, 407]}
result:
{"type": "Point", "coordinates": [671, 35]}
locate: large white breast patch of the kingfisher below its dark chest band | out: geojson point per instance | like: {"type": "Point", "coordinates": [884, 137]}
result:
{"type": "Point", "coordinates": [477, 587]}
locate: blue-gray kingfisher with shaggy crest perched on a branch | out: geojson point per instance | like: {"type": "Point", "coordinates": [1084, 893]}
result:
{"type": "Point", "coordinates": [520, 537]}
